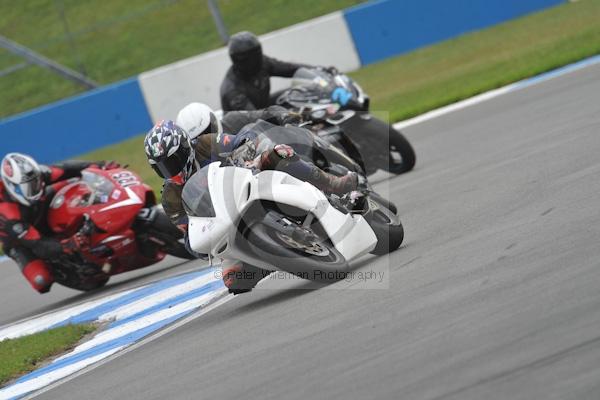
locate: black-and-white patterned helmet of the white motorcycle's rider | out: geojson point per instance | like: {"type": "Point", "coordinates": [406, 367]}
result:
{"type": "Point", "coordinates": [168, 149]}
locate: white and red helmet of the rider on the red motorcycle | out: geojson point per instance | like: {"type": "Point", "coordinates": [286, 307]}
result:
{"type": "Point", "coordinates": [22, 177]}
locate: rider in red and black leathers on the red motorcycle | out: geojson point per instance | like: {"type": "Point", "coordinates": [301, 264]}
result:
{"type": "Point", "coordinates": [26, 190]}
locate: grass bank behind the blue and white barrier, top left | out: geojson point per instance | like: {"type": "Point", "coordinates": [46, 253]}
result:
{"type": "Point", "coordinates": [116, 39]}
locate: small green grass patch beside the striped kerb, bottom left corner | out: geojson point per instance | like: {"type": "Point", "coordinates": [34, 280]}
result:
{"type": "Point", "coordinates": [24, 354]}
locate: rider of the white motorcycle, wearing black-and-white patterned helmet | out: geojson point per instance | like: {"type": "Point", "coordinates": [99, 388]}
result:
{"type": "Point", "coordinates": [175, 156]}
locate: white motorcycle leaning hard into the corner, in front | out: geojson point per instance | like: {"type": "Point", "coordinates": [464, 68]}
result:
{"type": "Point", "coordinates": [274, 221]}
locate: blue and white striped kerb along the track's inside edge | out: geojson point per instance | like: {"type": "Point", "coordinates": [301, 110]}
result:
{"type": "Point", "coordinates": [134, 314]}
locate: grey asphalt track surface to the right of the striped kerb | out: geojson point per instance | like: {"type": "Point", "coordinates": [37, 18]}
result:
{"type": "Point", "coordinates": [495, 293]}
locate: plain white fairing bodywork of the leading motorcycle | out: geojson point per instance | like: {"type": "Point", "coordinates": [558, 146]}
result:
{"type": "Point", "coordinates": [234, 189]}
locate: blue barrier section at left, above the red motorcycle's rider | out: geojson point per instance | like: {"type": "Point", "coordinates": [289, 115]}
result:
{"type": "Point", "coordinates": [79, 124]}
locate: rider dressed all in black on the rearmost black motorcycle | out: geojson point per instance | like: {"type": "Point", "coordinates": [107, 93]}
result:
{"type": "Point", "coordinates": [246, 85]}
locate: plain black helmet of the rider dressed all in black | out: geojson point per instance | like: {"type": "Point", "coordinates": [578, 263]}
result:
{"type": "Point", "coordinates": [245, 52]}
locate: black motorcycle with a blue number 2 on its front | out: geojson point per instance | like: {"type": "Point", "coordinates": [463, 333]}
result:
{"type": "Point", "coordinates": [338, 110]}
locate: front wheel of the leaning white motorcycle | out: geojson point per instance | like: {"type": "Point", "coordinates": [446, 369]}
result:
{"type": "Point", "coordinates": [308, 257]}
